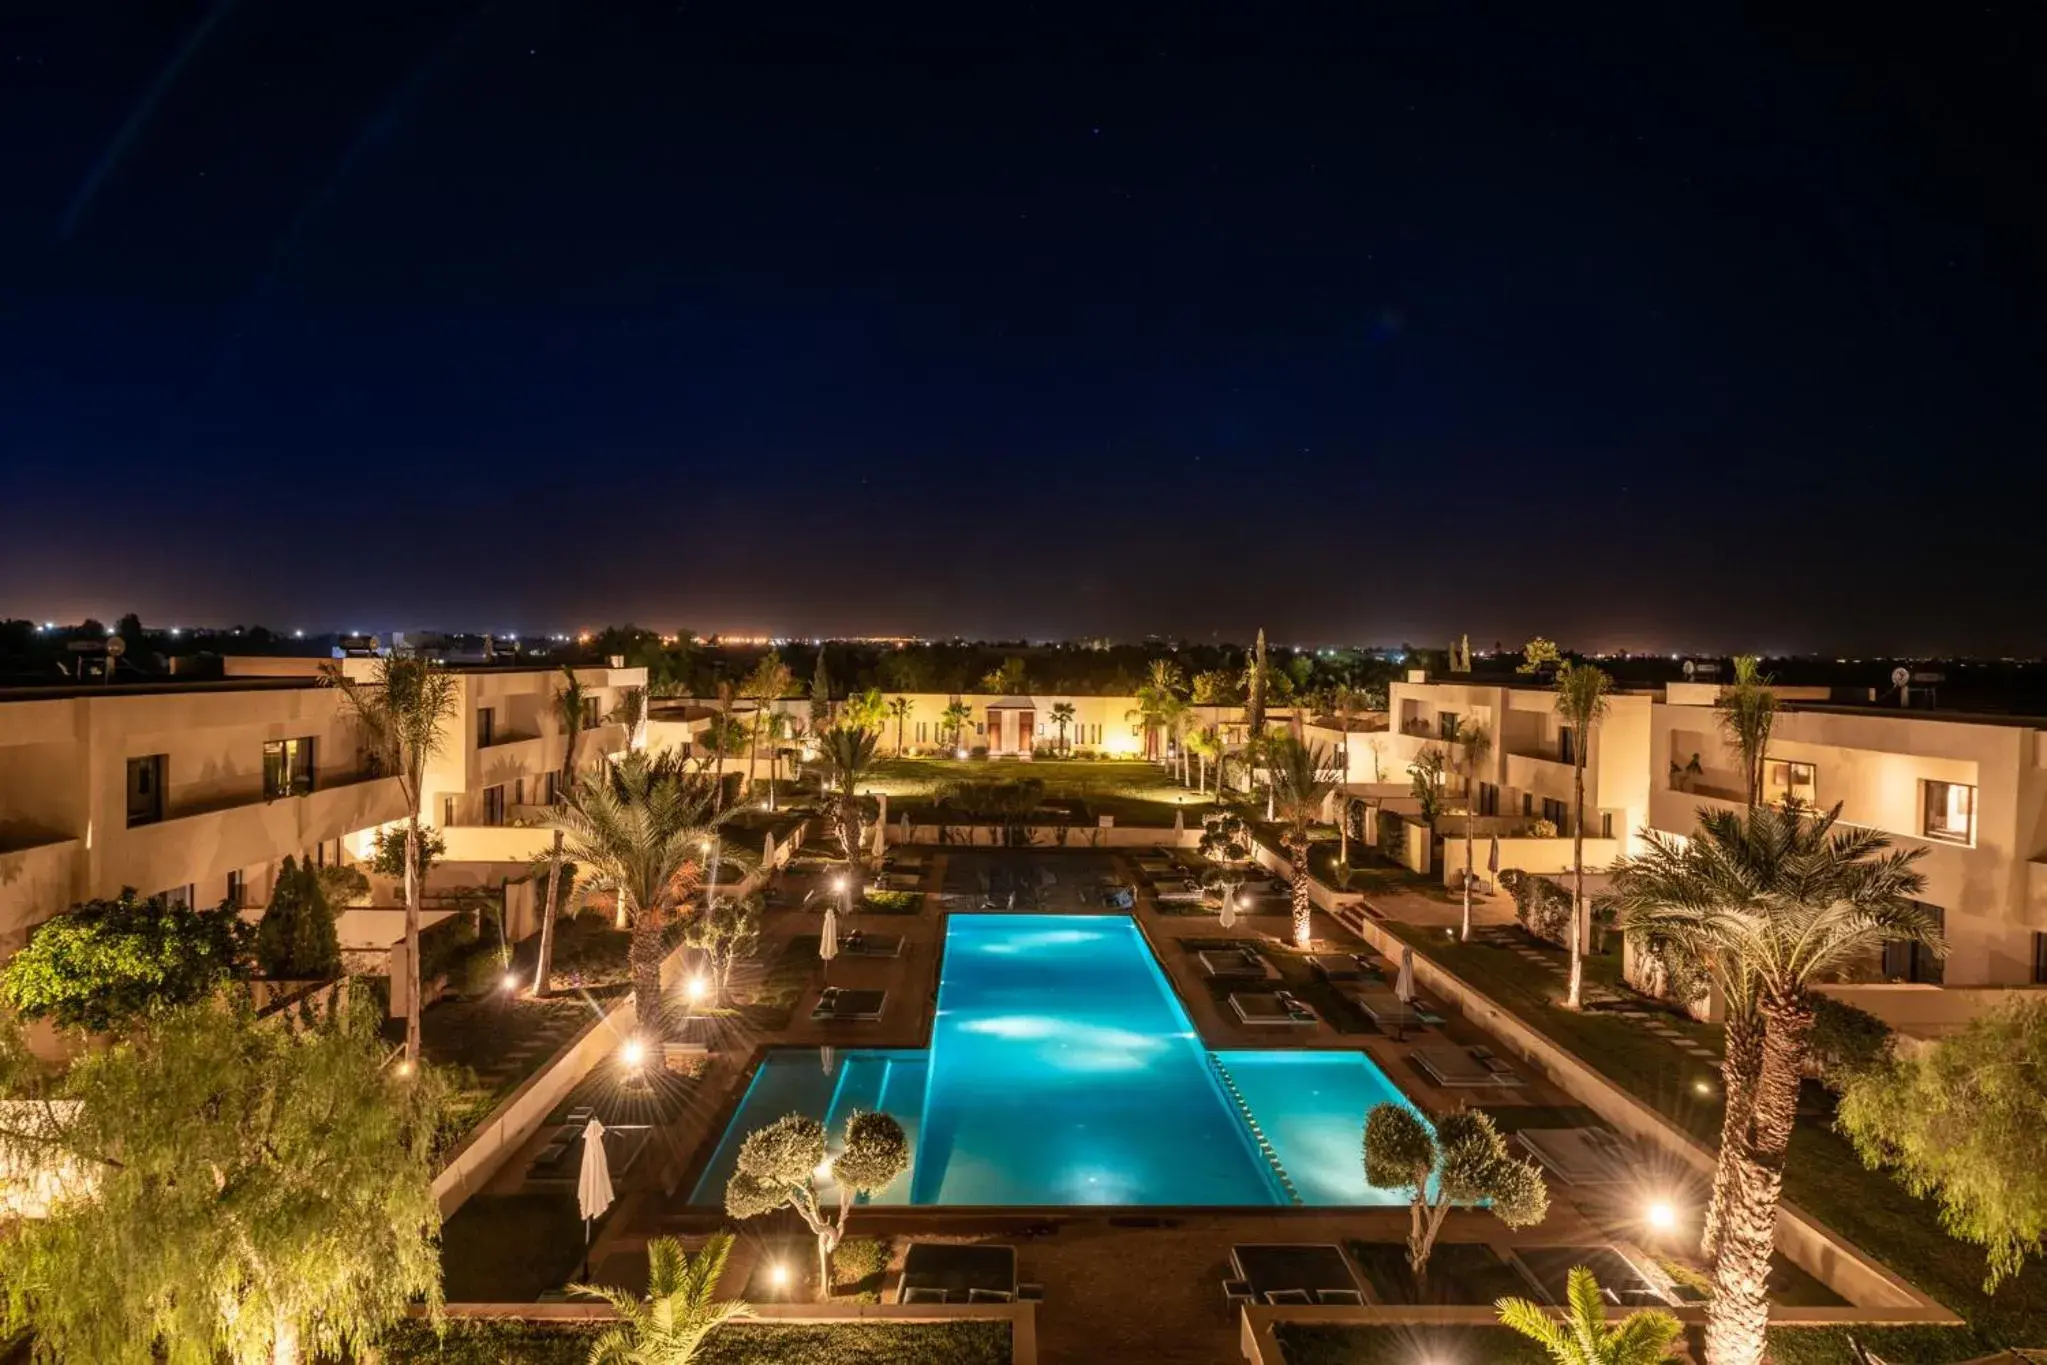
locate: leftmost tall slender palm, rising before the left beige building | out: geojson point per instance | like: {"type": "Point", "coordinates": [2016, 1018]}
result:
{"type": "Point", "coordinates": [402, 713]}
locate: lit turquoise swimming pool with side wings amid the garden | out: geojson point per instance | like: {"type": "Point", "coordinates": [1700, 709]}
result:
{"type": "Point", "coordinates": [1063, 1071]}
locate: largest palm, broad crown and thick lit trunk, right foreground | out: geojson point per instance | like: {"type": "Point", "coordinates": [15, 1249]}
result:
{"type": "Point", "coordinates": [1768, 904]}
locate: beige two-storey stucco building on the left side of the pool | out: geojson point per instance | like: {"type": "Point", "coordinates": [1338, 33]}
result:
{"type": "Point", "coordinates": [202, 789]}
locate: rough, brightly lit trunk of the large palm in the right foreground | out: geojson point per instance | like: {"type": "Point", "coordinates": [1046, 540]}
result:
{"type": "Point", "coordinates": [1739, 1313]}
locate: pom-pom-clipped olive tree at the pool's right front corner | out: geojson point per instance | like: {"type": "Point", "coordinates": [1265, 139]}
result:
{"type": "Point", "coordinates": [1465, 1159]}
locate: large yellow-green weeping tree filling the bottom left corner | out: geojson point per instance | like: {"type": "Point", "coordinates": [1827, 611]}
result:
{"type": "Point", "coordinates": [243, 1192]}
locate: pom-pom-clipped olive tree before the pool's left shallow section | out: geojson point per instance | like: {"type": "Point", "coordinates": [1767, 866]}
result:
{"type": "Point", "coordinates": [785, 1163]}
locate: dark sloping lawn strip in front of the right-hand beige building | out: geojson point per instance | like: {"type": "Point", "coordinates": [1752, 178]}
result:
{"type": "Point", "coordinates": [1823, 1174]}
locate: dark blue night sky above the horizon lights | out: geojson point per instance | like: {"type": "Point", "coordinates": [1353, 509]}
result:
{"type": "Point", "coordinates": [1659, 326]}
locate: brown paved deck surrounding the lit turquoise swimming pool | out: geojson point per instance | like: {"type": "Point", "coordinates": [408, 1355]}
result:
{"type": "Point", "coordinates": [1143, 1284]}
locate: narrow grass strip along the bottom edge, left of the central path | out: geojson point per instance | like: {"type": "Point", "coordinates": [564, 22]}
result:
{"type": "Point", "coordinates": [468, 1341]}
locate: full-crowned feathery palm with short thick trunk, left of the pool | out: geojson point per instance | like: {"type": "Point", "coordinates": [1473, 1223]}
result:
{"type": "Point", "coordinates": [640, 830]}
